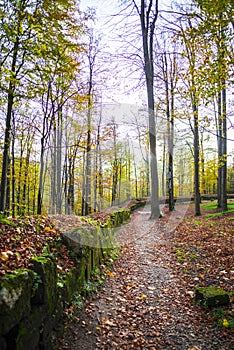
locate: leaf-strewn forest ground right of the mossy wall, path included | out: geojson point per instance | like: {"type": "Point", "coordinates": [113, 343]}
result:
{"type": "Point", "coordinates": [147, 298]}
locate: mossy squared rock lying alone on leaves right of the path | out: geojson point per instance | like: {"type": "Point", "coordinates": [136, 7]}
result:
{"type": "Point", "coordinates": [211, 296]}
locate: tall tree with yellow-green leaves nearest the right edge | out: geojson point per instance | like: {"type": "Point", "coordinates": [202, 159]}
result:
{"type": "Point", "coordinates": [217, 20]}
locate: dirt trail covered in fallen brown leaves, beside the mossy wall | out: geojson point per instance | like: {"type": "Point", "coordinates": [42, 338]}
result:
{"type": "Point", "coordinates": [143, 304]}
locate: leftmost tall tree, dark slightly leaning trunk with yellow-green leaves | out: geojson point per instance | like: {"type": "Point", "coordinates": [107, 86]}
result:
{"type": "Point", "coordinates": [17, 28]}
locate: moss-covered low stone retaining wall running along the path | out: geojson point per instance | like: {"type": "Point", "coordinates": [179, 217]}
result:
{"type": "Point", "coordinates": [33, 300]}
